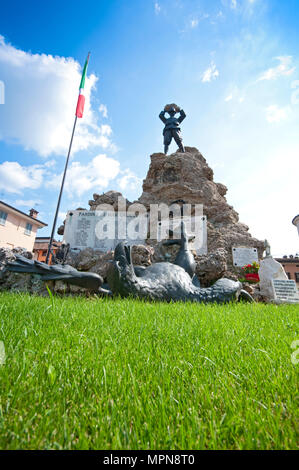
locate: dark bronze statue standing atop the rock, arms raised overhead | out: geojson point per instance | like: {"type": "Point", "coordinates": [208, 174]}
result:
{"type": "Point", "coordinates": [172, 129]}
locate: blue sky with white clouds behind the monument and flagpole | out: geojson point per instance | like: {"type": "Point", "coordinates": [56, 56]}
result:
{"type": "Point", "coordinates": [232, 64]}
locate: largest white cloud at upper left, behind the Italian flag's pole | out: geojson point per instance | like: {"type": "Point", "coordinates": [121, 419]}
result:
{"type": "Point", "coordinates": [40, 99]}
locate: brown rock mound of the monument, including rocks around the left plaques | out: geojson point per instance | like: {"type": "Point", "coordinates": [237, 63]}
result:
{"type": "Point", "coordinates": [183, 177]}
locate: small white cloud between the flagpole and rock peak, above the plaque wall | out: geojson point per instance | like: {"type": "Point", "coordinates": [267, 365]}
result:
{"type": "Point", "coordinates": [96, 174]}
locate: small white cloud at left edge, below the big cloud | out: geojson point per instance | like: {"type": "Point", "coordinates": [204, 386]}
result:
{"type": "Point", "coordinates": [15, 178]}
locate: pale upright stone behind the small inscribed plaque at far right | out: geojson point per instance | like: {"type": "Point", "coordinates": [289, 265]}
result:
{"type": "Point", "coordinates": [270, 269]}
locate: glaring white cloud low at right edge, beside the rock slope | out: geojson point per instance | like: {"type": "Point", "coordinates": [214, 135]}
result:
{"type": "Point", "coordinates": [275, 199]}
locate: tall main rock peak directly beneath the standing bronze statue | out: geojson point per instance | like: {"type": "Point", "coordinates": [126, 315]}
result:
{"type": "Point", "coordinates": [187, 176]}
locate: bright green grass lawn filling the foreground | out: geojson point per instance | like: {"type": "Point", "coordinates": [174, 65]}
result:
{"type": "Point", "coordinates": [124, 374]}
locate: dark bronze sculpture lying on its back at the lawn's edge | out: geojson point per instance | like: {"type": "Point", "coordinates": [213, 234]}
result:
{"type": "Point", "coordinates": [167, 281]}
